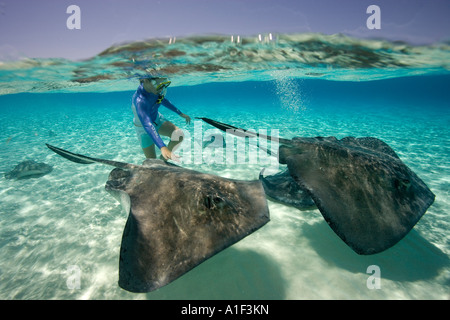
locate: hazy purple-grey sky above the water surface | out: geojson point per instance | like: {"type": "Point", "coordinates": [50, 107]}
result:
{"type": "Point", "coordinates": [38, 28]}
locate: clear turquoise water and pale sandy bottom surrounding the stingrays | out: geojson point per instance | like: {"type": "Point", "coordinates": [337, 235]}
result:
{"type": "Point", "coordinates": [66, 218]}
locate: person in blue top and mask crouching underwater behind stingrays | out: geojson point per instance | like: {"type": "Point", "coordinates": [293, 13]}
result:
{"type": "Point", "coordinates": [149, 123]}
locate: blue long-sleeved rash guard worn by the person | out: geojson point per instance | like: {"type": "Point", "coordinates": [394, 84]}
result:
{"type": "Point", "coordinates": [146, 108]}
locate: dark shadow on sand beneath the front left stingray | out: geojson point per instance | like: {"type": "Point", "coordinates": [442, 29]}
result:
{"type": "Point", "coordinates": [231, 274]}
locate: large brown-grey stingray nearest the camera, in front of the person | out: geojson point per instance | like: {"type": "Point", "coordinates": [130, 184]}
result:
{"type": "Point", "coordinates": [177, 218]}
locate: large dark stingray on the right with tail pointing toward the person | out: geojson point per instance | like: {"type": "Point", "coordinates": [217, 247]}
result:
{"type": "Point", "coordinates": [366, 194]}
